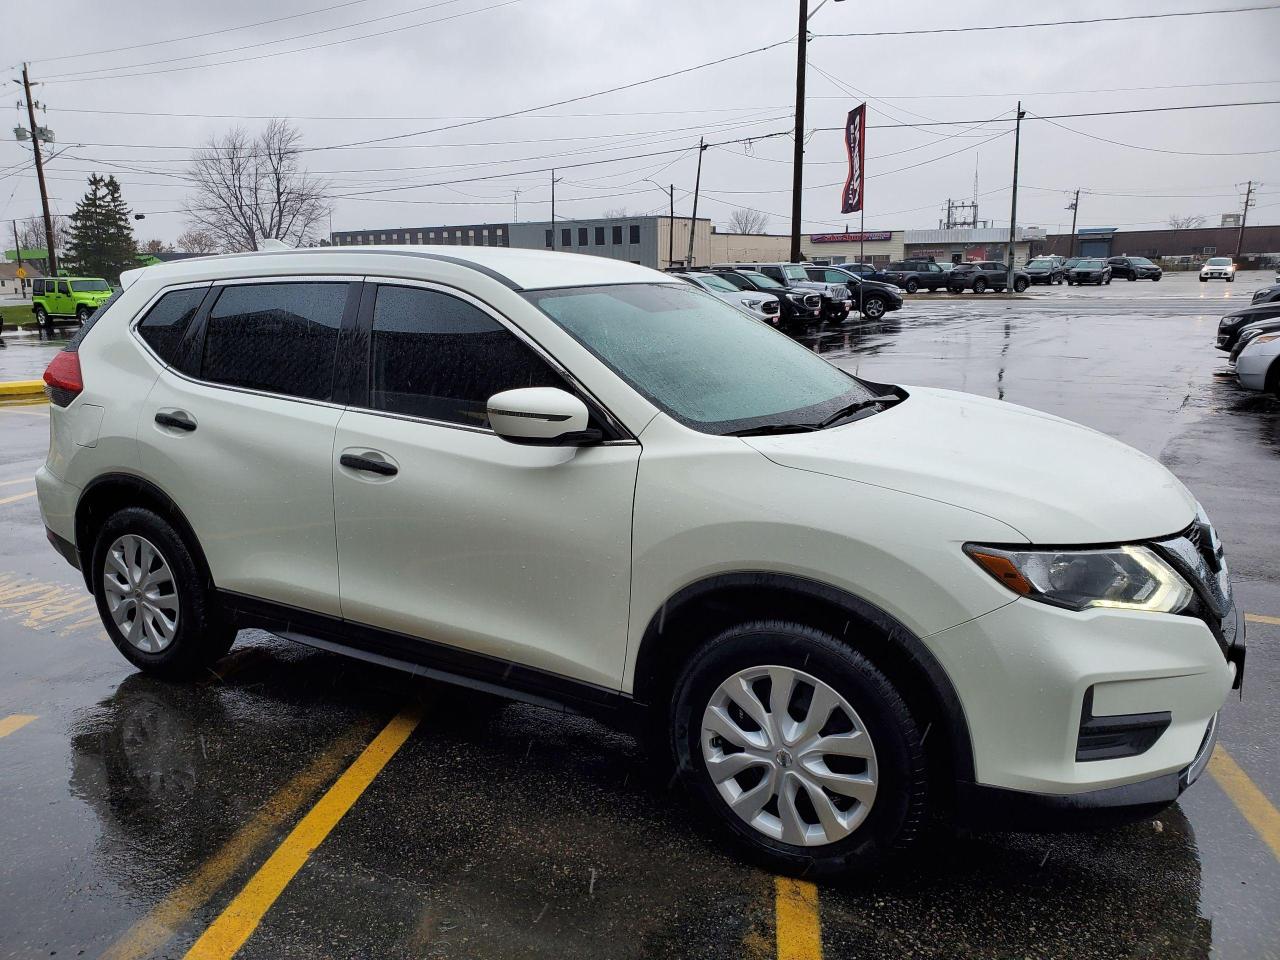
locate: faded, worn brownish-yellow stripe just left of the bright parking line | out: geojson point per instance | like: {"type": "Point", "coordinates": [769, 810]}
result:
{"type": "Point", "coordinates": [163, 922]}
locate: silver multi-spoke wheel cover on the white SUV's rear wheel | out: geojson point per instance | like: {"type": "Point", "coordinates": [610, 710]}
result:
{"type": "Point", "coordinates": [141, 593]}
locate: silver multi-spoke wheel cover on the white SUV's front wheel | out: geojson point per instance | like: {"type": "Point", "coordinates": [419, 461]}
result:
{"type": "Point", "coordinates": [789, 756]}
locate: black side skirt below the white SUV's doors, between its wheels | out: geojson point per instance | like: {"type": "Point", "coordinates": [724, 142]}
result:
{"type": "Point", "coordinates": [433, 661]}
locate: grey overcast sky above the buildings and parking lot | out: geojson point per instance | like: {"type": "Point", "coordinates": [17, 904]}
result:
{"type": "Point", "coordinates": [493, 57]}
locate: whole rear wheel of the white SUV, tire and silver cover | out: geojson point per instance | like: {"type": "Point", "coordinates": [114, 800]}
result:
{"type": "Point", "coordinates": [154, 601]}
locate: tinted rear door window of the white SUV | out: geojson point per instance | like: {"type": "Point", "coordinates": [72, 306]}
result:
{"type": "Point", "coordinates": [276, 337]}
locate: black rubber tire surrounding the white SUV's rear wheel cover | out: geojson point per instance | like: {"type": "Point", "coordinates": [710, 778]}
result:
{"type": "Point", "coordinates": [202, 636]}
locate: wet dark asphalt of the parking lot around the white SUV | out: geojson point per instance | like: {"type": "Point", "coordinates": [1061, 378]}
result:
{"type": "Point", "coordinates": [511, 831]}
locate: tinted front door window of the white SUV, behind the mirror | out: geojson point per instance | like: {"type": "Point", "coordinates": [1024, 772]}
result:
{"type": "Point", "coordinates": [440, 358]}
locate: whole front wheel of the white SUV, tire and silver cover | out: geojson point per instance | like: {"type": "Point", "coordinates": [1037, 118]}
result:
{"type": "Point", "coordinates": [801, 749]}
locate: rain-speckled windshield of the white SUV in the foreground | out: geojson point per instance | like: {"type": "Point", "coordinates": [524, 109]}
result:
{"type": "Point", "coordinates": [696, 358]}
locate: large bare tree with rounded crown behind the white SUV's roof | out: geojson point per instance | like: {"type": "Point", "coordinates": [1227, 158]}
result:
{"type": "Point", "coordinates": [249, 190]}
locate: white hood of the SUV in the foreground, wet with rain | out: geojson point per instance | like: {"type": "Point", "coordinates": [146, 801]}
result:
{"type": "Point", "coordinates": [1053, 481]}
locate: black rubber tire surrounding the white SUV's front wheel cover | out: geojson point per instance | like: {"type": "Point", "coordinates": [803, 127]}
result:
{"type": "Point", "coordinates": [898, 813]}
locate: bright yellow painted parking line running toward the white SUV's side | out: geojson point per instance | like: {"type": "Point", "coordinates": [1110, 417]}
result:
{"type": "Point", "coordinates": [235, 926]}
